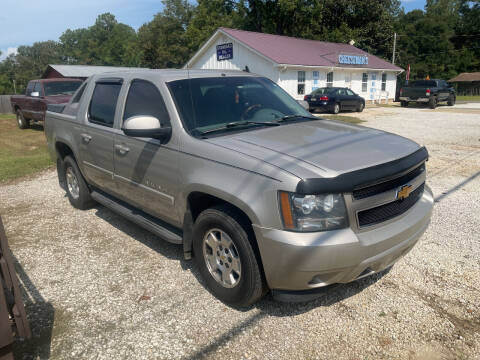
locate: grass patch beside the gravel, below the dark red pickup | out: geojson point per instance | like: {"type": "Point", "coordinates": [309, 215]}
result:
{"type": "Point", "coordinates": [22, 152]}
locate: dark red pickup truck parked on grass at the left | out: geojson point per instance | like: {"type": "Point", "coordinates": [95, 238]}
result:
{"type": "Point", "coordinates": [39, 94]}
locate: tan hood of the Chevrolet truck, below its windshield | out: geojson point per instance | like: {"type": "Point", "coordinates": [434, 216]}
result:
{"type": "Point", "coordinates": [319, 148]}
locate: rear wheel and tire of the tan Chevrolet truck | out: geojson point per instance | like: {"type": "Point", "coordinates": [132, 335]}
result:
{"type": "Point", "coordinates": [77, 189]}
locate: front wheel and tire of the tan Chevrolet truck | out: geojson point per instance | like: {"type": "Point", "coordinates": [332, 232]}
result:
{"type": "Point", "coordinates": [245, 284]}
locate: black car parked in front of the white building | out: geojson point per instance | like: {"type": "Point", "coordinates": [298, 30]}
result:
{"type": "Point", "coordinates": [334, 100]}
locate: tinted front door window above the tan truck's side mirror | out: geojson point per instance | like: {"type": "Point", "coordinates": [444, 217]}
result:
{"type": "Point", "coordinates": [144, 98]}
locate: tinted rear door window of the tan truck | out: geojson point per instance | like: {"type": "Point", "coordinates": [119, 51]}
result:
{"type": "Point", "coordinates": [104, 102]}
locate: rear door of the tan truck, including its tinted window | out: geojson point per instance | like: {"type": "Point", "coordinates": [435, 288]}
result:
{"type": "Point", "coordinates": [98, 134]}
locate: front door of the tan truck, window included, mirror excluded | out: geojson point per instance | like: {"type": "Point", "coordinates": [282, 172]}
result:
{"type": "Point", "coordinates": [146, 170]}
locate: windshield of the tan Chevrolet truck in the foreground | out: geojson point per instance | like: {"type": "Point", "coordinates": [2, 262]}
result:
{"type": "Point", "coordinates": [209, 103]}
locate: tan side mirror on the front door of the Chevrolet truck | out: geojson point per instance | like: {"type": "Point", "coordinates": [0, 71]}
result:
{"type": "Point", "coordinates": [146, 127]}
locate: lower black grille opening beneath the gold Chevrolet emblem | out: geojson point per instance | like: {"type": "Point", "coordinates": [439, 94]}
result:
{"type": "Point", "coordinates": [389, 211]}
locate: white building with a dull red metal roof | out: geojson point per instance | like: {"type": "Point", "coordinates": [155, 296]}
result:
{"type": "Point", "coordinates": [299, 65]}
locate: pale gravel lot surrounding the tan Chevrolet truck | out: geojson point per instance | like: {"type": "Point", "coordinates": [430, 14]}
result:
{"type": "Point", "coordinates": [100, 287]}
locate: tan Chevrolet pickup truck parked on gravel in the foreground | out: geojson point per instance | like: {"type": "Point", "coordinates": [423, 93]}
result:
{"type": "Point", "coordinates": [259, 192]}
